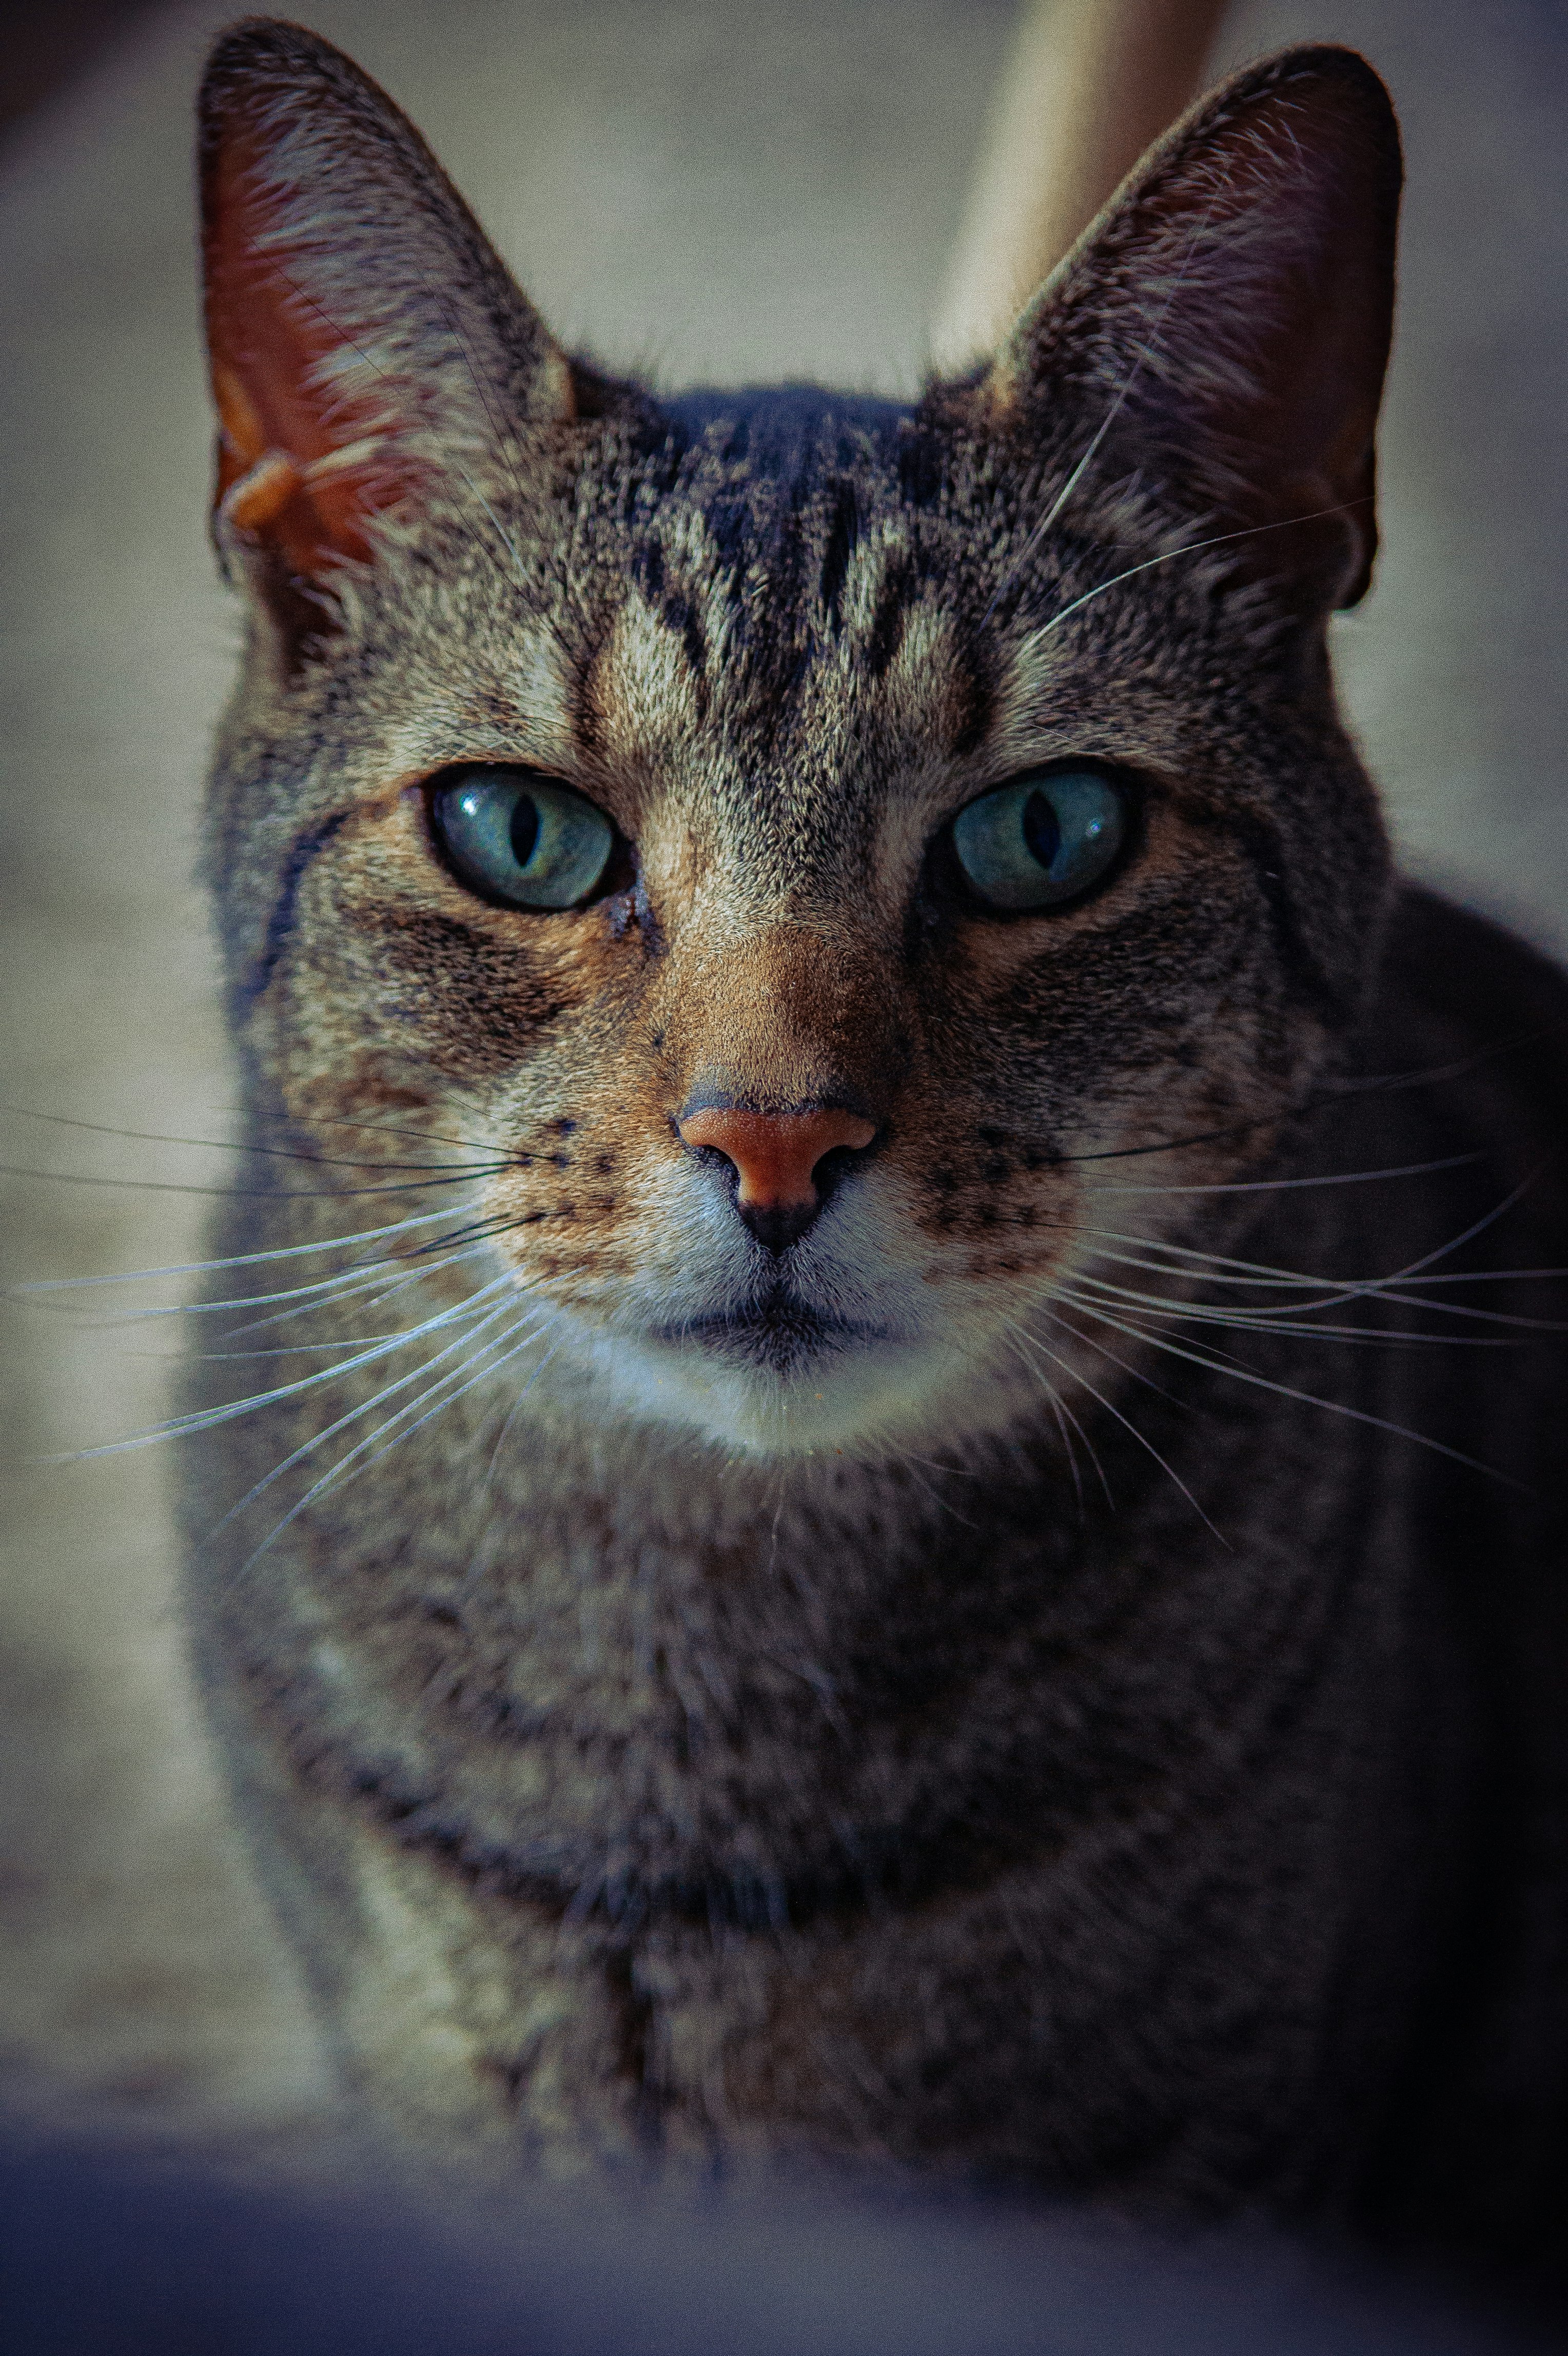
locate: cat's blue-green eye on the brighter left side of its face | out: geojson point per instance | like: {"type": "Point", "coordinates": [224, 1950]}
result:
{"type": "Point", "coordinates": [521, 838]}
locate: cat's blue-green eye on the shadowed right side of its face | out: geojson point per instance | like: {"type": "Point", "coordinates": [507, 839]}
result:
{"type": "Point", "coordinates": [1042, 840]}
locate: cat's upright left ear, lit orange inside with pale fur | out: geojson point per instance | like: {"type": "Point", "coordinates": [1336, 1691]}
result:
{"type": "Point", "coordinates": [366, 343]}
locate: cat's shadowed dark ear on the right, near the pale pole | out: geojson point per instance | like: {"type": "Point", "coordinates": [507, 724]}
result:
{"type": "Point", "coordinates": [1230, 319]}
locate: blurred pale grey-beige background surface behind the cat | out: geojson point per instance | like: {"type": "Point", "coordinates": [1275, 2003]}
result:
{"type": "Point", "coordinates": [705, 190]}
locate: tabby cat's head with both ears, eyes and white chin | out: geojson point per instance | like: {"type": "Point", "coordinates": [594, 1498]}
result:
{"type": "Point", "coordinates": [811, 854]}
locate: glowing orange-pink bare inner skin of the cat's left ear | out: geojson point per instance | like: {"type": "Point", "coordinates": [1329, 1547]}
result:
{"type": "Point", "coordinates": [300, 465]}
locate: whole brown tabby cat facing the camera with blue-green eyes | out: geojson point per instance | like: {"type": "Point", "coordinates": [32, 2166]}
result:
{"type": "Point", "coordinates": [908, 1493]}
